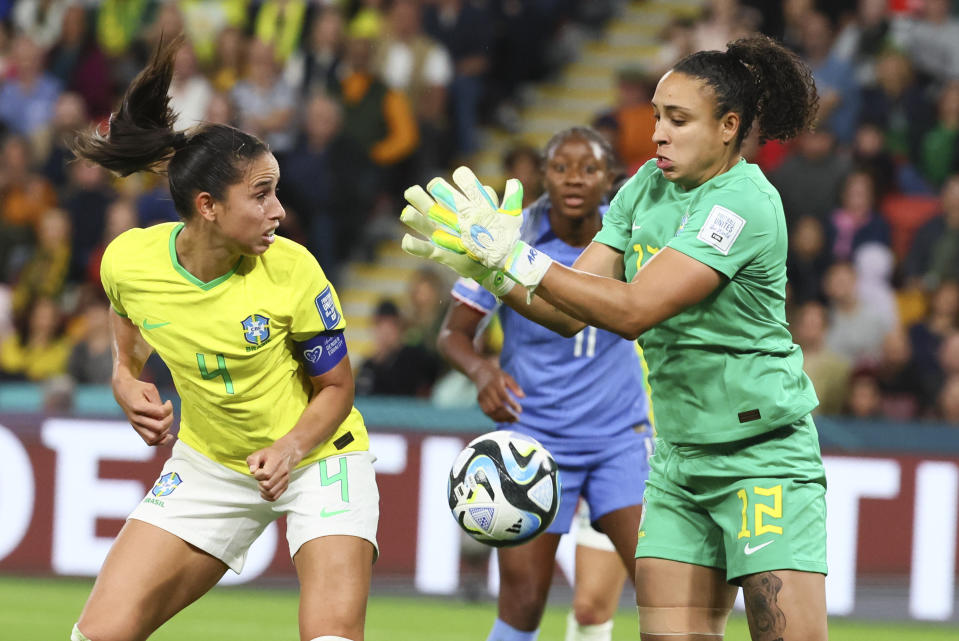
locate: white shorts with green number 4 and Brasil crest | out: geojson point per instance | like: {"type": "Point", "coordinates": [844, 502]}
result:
{"type": "Point", "coordinates": [220, 511]}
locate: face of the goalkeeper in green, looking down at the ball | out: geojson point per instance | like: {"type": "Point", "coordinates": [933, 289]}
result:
{"type": "Point", "coordinates": [692, 143]}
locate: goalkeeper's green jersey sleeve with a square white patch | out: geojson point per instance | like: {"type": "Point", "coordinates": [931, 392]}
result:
{"type": "Point", "coordinates": [728, 230]}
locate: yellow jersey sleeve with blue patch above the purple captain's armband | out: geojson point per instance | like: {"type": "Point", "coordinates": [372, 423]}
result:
{"type": "Point", "coordinates": [317, 307]}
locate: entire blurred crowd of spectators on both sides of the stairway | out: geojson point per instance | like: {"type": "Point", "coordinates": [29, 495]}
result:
{"type": "Point", "coordinates": [360, 98]}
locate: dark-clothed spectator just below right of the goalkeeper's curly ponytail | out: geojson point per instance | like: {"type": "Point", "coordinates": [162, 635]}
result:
{"type": "Point", "coordinates": [810, 178]}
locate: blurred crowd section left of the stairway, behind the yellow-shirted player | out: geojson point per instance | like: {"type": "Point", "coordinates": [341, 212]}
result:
{"type": "Point", "coordinates": [356, 98]}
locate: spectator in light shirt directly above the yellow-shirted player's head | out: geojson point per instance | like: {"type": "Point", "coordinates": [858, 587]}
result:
{"type": "Point", "coordinates": [265, 103]}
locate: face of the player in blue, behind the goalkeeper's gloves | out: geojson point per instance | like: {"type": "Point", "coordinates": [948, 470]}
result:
{"type": "Point", "coordinates": [577, 177]}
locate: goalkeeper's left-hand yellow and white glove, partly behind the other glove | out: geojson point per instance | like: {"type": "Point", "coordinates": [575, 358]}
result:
{"type": "Point", "coordinates": [441, 226]}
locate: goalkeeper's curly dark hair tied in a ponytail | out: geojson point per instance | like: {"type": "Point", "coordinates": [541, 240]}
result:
{"type": "Point", "coordinates": [760, 80]}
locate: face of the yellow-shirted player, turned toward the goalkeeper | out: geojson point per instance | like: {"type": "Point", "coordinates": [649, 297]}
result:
{"type": "Point", "coordinates": [249, 215]}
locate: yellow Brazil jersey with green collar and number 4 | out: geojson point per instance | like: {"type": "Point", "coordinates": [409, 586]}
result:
{"type": "Point", "coordinates": [228, 342]}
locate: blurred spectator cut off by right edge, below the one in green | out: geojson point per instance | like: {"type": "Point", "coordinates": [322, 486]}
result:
{"type": "Point", "coordinates": [934, 254]}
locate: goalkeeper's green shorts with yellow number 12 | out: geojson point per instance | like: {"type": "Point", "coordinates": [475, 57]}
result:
{"type": "Point", "coordinates": [748, 506]}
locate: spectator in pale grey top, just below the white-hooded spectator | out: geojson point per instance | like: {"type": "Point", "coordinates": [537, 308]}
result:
{"type": "Point", "coordinates": [855, 332]}
